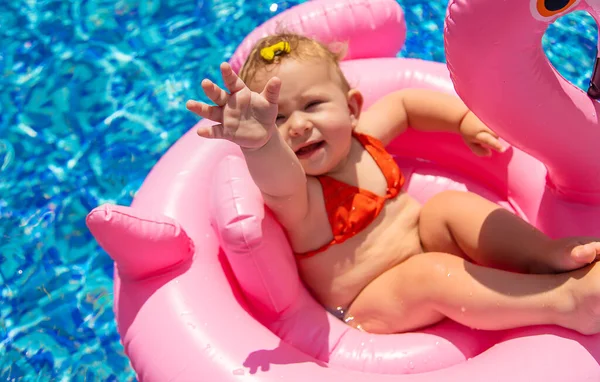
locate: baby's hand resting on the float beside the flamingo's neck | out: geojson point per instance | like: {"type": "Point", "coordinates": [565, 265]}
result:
{"type": "Point", "coordinates": [480, 139]}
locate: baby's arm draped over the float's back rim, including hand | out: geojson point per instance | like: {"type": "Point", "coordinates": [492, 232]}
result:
{"type": "Point", "coordinates": [430, 111]}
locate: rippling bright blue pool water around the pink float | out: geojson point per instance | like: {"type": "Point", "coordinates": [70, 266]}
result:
{"type": "Point", "coordinates": [92, 94]}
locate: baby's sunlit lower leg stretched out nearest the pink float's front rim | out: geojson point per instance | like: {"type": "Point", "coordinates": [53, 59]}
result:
{"type": "Point", "coordinates": [428, 287]}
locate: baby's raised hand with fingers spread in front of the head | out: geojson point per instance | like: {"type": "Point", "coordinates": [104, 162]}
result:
{"type": "Point", "coordinates": [245, 117]}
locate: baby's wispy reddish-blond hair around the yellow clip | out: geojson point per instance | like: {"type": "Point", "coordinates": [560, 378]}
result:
{"type": "Point", "coordinates": [300, 47]}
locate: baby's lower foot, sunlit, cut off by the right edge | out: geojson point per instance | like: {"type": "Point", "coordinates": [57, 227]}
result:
{"type": "Point", "coordinates": [582, 311]}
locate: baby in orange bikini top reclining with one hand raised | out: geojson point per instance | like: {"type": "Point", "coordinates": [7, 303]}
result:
{"type": "Point", "coordinates": [368, 251]}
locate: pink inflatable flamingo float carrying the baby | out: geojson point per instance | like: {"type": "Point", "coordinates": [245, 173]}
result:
{"type": "Point", "coordinates": [206, 288]}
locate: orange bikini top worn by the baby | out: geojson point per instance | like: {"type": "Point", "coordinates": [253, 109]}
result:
{"type": "Point", "coordinates": [351, 209]}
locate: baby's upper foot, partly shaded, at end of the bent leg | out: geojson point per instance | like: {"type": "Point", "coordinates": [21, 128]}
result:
{"type": "Point", "coordinates": [571, 253]}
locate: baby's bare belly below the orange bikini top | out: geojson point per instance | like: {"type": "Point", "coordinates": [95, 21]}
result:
{"type": "Point", "coordinates": [337, 275]}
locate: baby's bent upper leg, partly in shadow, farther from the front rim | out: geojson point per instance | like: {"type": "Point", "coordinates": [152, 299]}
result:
{"type": "Point", "coordinates": [467, 225]}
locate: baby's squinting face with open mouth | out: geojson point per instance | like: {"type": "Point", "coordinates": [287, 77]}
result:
{"type": "Point", "coordinates": [316, 115]}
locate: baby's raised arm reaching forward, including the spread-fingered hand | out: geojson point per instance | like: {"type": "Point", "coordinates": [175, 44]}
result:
{"type": "Point", "coordinates": [248, 119]}
